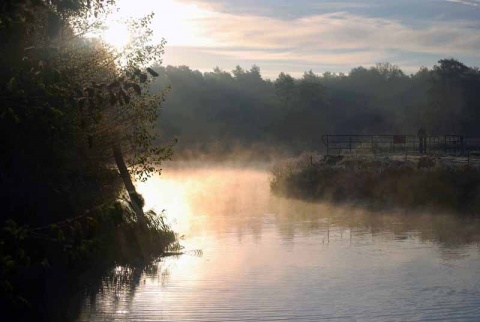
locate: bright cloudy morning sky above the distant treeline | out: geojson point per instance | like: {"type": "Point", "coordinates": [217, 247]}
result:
{"type": "Point", "coordinates": [294, 36]}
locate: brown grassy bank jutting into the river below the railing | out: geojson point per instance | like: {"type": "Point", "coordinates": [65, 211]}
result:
{"type": "Point", "coordinates": [425, 182]}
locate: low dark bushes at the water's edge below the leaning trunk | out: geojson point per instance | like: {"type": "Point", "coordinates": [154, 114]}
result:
{"type": "Point", "coordinates": [107, 236]}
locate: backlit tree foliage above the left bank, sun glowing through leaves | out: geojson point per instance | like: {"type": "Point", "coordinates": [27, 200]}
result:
{"type": "Point", "coordinates": [64, 101]}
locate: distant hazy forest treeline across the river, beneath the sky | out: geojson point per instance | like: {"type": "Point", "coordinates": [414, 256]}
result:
{"type": "Point", "coordinates": [218, 110]}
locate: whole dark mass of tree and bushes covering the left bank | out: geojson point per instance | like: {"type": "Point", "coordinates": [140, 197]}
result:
{"type": "Point", "coordinates": [76, 121]}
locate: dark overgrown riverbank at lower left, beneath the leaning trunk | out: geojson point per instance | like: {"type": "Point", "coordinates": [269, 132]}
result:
{"type": "Point", "coordinates": [51, 266]}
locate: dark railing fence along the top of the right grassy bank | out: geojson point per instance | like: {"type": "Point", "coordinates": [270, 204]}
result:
{"type": "Point", "coordinates": [395, 144]}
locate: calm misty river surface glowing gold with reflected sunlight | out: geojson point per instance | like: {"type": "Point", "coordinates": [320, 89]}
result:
{"type": "Point", "coordinates": [268, 259]}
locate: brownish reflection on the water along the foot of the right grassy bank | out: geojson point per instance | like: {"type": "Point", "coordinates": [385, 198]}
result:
{"type": "Point", "coordinates": [448, 231]}
